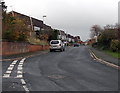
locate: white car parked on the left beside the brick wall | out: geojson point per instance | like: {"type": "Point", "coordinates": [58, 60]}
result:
{"type": "Point", "coordinates": [57, 45]}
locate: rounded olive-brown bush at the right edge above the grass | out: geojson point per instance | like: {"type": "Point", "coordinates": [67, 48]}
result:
{"type": "Point", "coordinates": [115, 45]}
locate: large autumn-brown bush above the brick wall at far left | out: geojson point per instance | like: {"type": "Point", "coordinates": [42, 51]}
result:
{"type": "Point", "coordinates": [14, 29]}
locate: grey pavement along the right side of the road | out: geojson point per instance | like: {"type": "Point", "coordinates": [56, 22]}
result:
{"type": "Point", "coordinates": [102, 55]}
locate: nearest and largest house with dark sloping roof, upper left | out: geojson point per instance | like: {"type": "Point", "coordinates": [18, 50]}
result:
{"type": "Point", "coordinates": [34, 24]}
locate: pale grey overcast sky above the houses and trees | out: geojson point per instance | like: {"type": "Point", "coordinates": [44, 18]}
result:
{"type": "Point", "coordinates": [73, 16]}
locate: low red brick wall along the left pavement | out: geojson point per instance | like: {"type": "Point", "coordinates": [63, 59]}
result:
{"type": "Point", "coordinates": [10, 48]}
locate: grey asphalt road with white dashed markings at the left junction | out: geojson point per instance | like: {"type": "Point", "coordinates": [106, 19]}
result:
{"type": "Point", "coordinates": [72, 70]}
